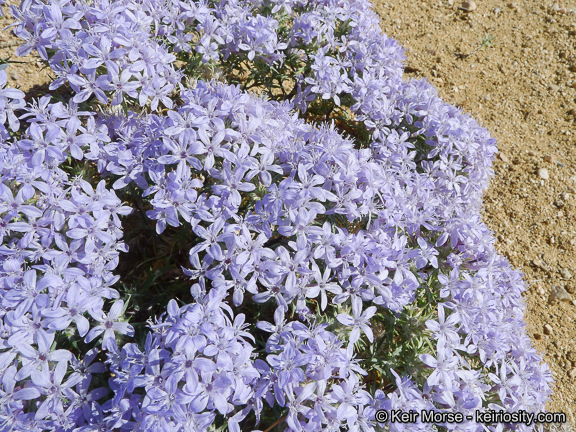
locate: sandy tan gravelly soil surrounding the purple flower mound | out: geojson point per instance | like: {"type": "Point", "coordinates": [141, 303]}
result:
{"type": "Point", "coordinates": [512, 66]}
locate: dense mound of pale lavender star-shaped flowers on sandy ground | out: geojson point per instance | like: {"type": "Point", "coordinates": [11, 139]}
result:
{"type": "Point", "coordinates": [336, 263]}
